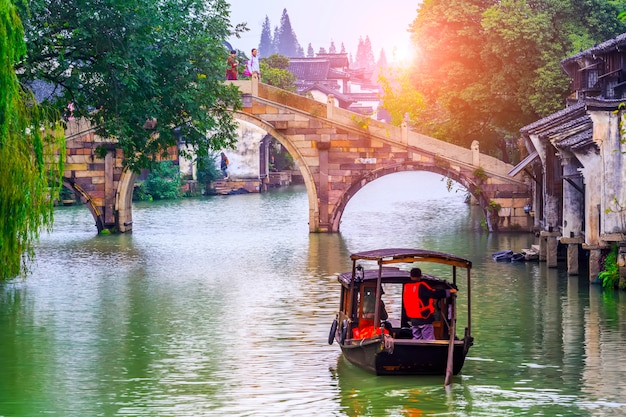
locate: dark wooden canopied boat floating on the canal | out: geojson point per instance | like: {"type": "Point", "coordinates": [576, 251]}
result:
{"type": "Point", "coordinates": [386, 346]}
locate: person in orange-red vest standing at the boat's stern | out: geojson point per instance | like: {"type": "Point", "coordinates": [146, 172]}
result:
{"type": "Point", "coordinates": [419, 304]}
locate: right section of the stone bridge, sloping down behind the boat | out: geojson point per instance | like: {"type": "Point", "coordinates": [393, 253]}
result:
{"type": "Point", "coordinates": [341, 151]}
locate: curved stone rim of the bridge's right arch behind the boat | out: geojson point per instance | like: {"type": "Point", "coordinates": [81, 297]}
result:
{"type": "Point", "coordinates": [468, 183]}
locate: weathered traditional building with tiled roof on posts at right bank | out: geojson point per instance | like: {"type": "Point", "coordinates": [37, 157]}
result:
{"type": "Point", "coordinates": [577, 160]}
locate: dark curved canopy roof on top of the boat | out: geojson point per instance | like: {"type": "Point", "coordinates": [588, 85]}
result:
{"type": "Point", "coordinates": [398, 255]}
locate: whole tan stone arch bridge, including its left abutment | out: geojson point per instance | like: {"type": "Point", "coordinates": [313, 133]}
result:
{"type": "Point", "coordinates": [337, 151]}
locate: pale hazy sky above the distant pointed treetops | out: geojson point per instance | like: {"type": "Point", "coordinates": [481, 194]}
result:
{"type": "Point", "coordinates": [320, 21]}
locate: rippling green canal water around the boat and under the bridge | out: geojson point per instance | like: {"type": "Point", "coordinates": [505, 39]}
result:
{"type": "Point", "coordinates": [221, 306]}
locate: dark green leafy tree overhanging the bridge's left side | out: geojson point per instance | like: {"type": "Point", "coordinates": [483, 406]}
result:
{"type": "Point", "coordinates": [123, 63]}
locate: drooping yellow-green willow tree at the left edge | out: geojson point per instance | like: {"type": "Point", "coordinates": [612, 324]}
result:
{"type": "Point", "coordinates": [30, 167]}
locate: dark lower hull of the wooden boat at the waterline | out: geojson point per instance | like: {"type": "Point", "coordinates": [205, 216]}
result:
{"type": "Point", "coordinates": [408, 357]}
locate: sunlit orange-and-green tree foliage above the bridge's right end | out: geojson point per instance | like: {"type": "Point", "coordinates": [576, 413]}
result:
{"type": "Point", "coordinates": [486, 68]}
